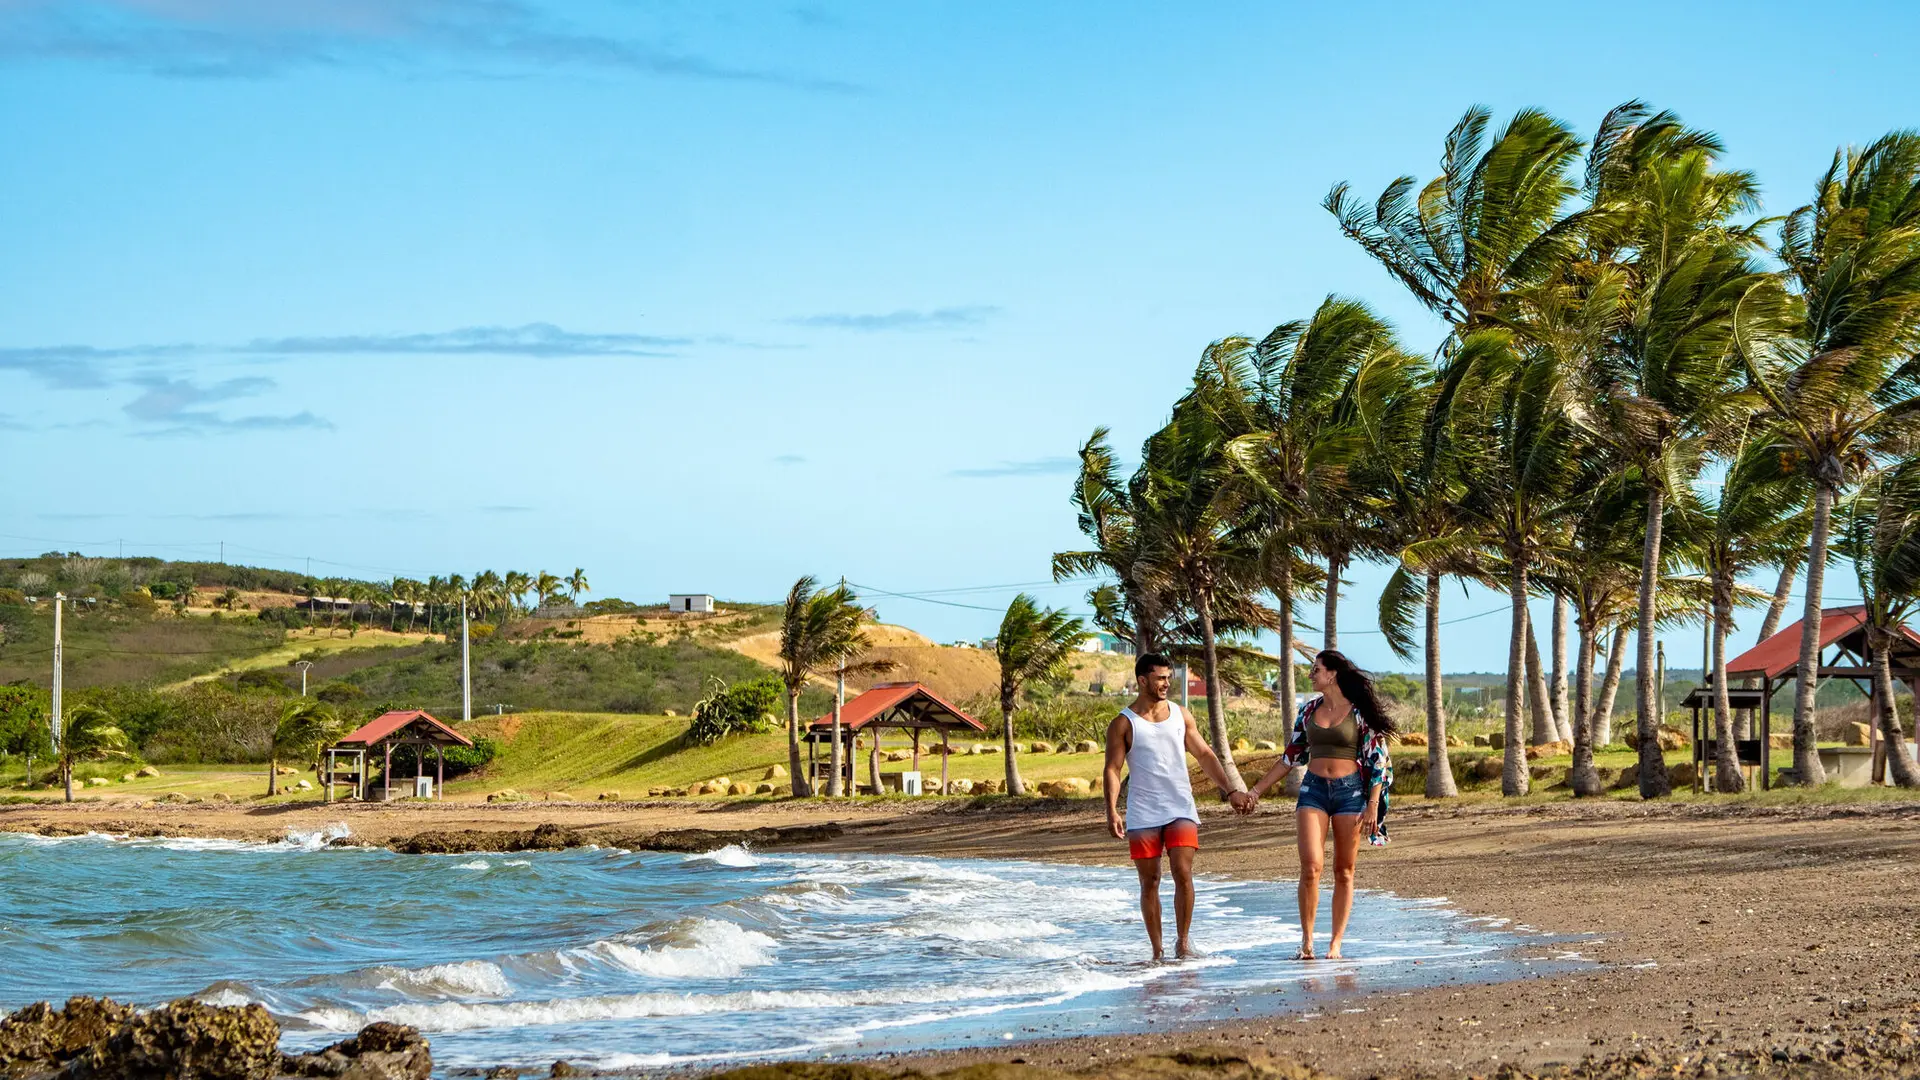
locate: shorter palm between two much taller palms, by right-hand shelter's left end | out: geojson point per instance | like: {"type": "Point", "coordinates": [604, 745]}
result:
{"type": "Point", "coordinates": [1756, 520]}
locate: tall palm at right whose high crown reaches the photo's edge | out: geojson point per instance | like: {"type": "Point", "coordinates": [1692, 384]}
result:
{"type": "Point", "coordinates": [1842, 383]}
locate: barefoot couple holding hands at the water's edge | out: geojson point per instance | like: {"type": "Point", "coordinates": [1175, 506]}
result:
{"type": "Point", "coordinates": [1343, 741]}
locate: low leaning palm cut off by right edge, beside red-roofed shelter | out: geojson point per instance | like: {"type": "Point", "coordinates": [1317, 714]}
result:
{"type": "Point", "coordinates": [1881, 535]}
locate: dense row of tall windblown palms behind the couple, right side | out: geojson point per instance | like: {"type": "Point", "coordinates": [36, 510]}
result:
{"type": "Point", "coordinates": [1643, 399]}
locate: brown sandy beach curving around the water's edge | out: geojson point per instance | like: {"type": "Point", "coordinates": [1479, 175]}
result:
{"type": "Point", "coordinates": [1760, 933]}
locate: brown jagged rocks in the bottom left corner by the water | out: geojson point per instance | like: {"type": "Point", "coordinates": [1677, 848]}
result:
{"type": "Point", "coordinates": [97, 1039]}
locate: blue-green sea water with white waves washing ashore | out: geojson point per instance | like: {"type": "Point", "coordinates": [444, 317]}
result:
{"type": "Point", "coordinates": [648, 960]}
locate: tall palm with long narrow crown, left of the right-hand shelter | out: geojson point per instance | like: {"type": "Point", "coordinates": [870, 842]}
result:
{"type": "Point", "coordinates": [1668, 393]}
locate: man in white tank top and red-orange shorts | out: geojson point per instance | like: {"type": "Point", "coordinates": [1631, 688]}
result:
{"type": "Point", "coordinates": [1153, 739]}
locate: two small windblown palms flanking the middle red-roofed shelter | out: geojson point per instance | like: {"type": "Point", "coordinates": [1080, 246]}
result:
{"type": "Point", "coordinates": [823, 635]}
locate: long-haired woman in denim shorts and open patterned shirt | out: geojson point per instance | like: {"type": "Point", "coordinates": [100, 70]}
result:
{"type": "Point", "coordinates": [1341, 737]}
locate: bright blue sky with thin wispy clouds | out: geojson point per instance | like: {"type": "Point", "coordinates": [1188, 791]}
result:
{"type": "Point", "coordinates": [706, 297]}
